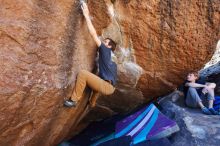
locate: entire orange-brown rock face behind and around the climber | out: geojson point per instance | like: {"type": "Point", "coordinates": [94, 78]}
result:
{"type": "Point", "coordinates": [44, 43]}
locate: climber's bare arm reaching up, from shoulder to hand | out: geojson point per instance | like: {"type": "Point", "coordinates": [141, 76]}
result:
{"type": "Point", "coordinates": [90, 25]}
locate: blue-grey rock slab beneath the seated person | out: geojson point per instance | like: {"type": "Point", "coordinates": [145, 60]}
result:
{"type": "Point", "coordinates": [196, 129]}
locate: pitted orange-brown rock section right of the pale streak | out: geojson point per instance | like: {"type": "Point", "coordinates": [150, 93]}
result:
{"type": "Point", "coordinates": [169, 38]}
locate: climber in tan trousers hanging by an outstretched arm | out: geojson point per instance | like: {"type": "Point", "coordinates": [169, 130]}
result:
{"type": "Point", "coordinates": [103, 83]}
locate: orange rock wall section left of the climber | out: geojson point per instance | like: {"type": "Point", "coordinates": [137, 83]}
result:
{"type": "Point", "coordinates": [43, 44]}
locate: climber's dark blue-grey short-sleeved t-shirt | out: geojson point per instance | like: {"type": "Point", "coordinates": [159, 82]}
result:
{"type": "Point", "coordinates": [107, 68]}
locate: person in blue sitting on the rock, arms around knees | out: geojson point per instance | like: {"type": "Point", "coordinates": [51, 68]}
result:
{"type": "Point", "coordinates": [197, 92]}
